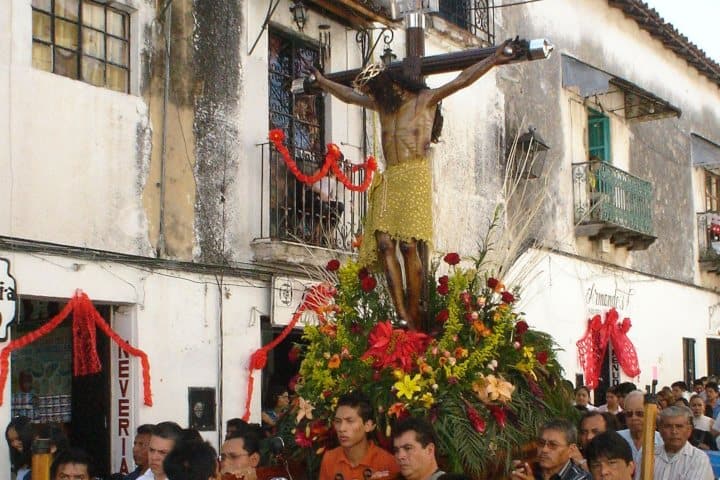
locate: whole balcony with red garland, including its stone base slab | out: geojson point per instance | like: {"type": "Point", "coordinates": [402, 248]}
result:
{"type": "Point", "coordinates": [296, 226]}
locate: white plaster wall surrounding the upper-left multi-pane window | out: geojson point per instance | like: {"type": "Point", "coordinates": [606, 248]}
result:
{"type": "Point", "coordinates": [74, 155]}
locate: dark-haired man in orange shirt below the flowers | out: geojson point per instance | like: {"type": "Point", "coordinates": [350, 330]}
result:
{"type": "Point", "coordinates": [357, 458]}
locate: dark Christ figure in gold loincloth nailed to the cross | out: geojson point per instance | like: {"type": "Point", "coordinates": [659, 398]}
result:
{"type": "Point", "coordinates": [400, 198]}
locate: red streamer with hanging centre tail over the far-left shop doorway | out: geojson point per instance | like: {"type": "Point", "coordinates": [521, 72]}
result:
{"type": "Point", "coordinates": [85, 358]}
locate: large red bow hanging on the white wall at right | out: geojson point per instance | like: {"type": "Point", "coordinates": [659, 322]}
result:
{"type": "Point", "coordinates": [593, 345]}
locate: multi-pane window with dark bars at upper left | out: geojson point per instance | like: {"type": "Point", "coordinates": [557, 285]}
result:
{"type": "Point", "coordinates": [84, 40]}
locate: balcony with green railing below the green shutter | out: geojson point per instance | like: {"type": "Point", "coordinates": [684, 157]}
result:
{"type": "Point", "coordinates": [612, 204]}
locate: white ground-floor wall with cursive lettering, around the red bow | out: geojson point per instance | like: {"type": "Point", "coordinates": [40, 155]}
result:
{"type": "Point", "coordinates": [557, 301]}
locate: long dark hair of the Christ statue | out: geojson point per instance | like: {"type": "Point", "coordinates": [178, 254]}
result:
{"type": "Point", "coordinates": [389, 99]}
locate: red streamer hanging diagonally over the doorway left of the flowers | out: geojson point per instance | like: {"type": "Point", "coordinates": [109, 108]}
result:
{"type": "Point", "coordinates": [315, 300]}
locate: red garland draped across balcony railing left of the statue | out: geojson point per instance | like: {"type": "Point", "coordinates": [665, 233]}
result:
{"type": "Point", "coordinates": [277, 137]}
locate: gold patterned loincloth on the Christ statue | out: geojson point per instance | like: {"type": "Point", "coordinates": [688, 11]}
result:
{"type": "Point", "coordinates": [400, 204]}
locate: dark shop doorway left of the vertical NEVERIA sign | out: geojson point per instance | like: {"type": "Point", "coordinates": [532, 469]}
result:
{"type": "Point", "coordinates": [44, 389]}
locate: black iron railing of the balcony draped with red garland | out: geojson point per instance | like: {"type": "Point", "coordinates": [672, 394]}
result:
{"type": "Point", "coordinates": [294, 212]}
